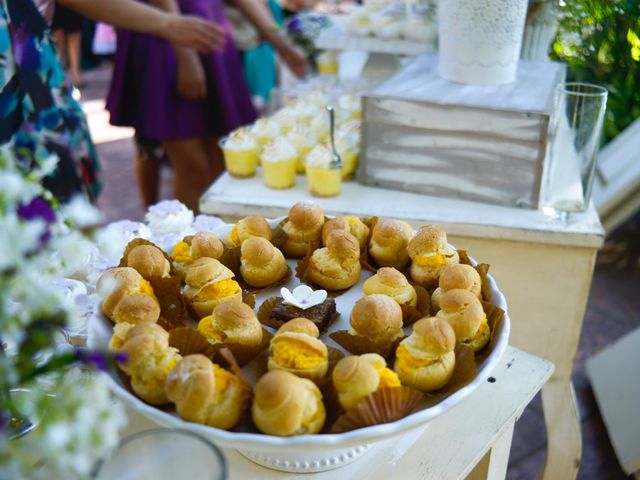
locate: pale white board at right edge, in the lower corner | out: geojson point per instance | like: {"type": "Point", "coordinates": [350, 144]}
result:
{"type": "Point", "coordinates": [615, 380]}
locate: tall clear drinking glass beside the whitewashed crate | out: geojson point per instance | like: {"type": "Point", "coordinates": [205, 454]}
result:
{"type": "Point", "coordinates": [574, 142]}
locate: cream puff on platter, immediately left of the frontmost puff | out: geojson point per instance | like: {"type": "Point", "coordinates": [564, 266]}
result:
{"type": "Point", "coordinates": [206, 393]}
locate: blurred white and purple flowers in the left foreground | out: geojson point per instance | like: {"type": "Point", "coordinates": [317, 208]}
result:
{"type": "Point", "coordinates": [57, 418]}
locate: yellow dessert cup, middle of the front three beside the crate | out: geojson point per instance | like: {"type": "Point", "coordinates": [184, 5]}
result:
{"type": "Point", "coordinates": [279, 160]}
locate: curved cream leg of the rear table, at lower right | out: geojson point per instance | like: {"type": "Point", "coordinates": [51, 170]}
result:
{"type": "Point", "coordinates": [564, 440]}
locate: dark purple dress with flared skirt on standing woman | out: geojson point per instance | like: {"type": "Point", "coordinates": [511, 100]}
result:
{"type": "Point", "coordinates": [143, 91]}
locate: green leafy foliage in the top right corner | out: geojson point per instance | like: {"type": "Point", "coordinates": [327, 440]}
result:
{"type": "Point", "coordinates": [600, 42]}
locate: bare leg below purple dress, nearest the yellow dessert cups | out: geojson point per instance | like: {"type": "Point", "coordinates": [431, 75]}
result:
{"type": "Point", "coordinates": [192, 166]}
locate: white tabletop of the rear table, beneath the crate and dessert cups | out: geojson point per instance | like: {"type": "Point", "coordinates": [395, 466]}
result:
{"type": "Point", "coordinates": [233, 198]}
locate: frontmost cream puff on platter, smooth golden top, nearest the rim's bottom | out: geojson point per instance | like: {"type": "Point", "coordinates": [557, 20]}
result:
{"type": "Point", "coordinates": [287, 405]}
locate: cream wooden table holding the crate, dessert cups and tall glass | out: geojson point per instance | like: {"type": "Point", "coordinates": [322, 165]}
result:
{"type": "Point", "coordinates": [544, 268]}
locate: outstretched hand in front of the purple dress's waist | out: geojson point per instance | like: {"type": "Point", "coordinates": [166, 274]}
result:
{"type": "Point", "coordinates": [193, 32]}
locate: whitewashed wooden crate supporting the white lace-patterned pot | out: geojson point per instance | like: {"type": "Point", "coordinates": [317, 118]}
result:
{"type": "Point", "coordinates": [424, 134]}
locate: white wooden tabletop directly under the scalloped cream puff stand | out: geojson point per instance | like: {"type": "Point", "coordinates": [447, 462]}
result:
{"type": "Point", "coordinates": [451, 445]}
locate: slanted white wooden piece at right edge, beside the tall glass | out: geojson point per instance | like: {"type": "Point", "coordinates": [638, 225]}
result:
{"type": "Point", "coordinates": [618, 177]}
